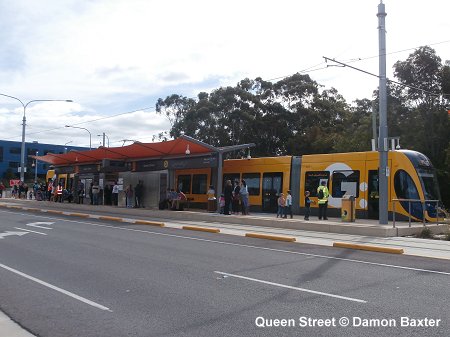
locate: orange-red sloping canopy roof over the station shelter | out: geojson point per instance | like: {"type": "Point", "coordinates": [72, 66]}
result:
{"type": "Point", "coordinates": [136, 151]}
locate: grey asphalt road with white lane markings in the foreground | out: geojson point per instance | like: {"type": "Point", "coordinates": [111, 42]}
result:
{"type": "Point", "coordinates": [84, 277]}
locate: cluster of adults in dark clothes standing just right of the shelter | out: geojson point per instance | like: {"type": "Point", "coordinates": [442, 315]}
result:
{"type": "Point", "coordinates": [234, 198]}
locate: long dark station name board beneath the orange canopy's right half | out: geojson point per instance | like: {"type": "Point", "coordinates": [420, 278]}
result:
{"type": "Point", "coordinates": [176, 164]}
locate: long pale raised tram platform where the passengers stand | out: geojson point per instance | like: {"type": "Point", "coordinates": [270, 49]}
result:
{"type": "Point", "coordinates": [361, 227]}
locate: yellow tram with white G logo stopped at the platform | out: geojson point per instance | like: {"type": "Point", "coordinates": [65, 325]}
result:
{"type": "Point", "coordinates": [410, 176]}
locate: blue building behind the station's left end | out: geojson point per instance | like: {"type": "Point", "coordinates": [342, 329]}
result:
{"type": "Point", "coordinates": [10, 156]}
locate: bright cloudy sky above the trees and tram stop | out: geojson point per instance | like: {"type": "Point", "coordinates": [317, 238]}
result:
{"type": "Point", "coordinates": [115, 58]}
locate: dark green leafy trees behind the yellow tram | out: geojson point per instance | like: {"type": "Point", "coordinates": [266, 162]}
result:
{"type": "Point", "coordinates": [296, 116]}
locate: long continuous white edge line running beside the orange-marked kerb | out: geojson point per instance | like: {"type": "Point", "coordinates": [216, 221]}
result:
{"type": "Point", "coordinates": [248, 246]}
